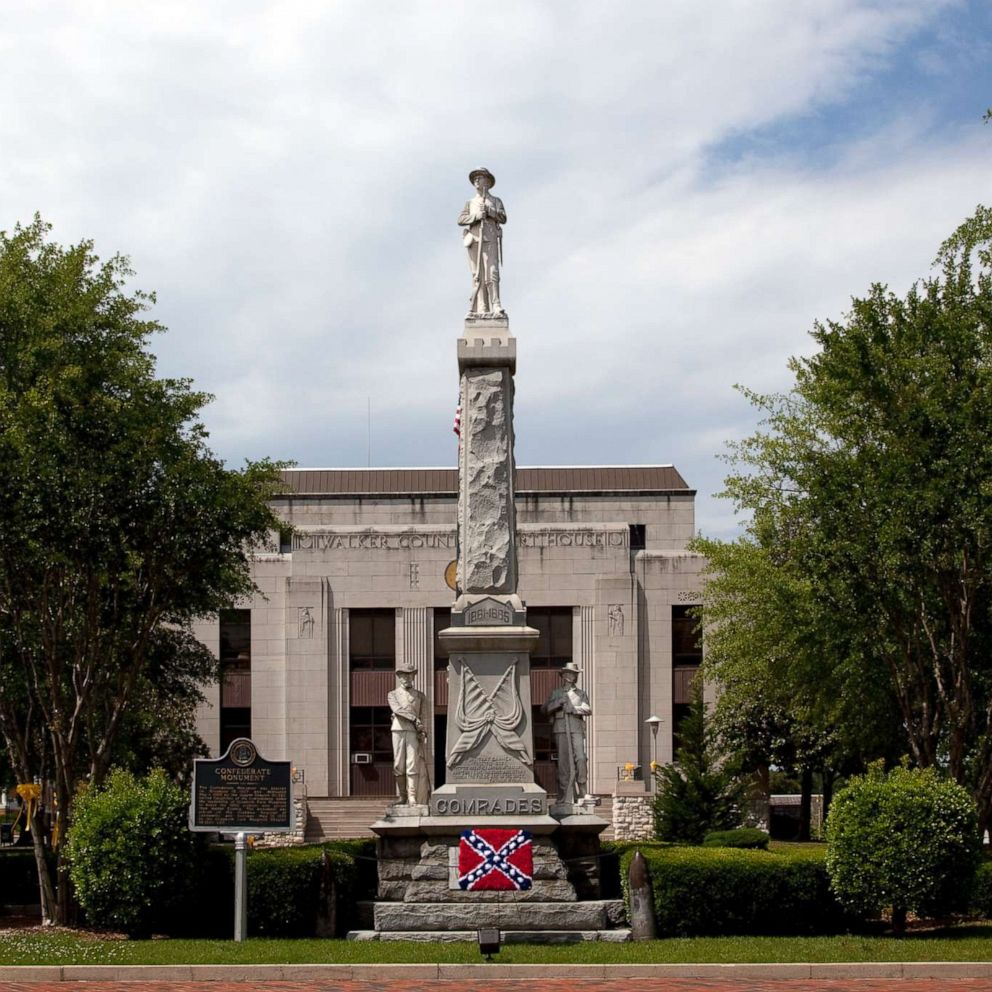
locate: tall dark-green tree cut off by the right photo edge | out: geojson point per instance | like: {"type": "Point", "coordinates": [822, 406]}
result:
{"type": "Point", "coordinates": [870, 485]}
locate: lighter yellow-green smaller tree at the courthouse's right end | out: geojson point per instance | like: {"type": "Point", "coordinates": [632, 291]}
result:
{"type": "Point", "coordinates": [765, 638]}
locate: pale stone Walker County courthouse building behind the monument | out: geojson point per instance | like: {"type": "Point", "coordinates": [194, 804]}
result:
{"type": "Point", "coordinates": [363, 582]}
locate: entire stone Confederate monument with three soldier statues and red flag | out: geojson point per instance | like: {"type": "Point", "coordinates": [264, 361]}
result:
{"type": "Point", "coordinates": [487, 837]}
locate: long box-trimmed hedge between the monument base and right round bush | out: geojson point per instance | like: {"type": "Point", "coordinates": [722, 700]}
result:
{"type": "Point", "coordinates": [712, 891]}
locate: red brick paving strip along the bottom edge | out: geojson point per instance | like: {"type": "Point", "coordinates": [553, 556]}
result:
{"type": "Point", "coordinates": [532, 984]}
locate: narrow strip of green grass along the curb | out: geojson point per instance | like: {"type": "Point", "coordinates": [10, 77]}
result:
{"type": "Point", "coordinates": [962, 943]}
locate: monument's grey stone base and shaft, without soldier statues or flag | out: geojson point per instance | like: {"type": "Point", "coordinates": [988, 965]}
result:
{"type": "Point", "coordinates": [490, 745]}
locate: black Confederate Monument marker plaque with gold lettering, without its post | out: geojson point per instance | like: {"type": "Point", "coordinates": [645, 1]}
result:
{"type": "Point", "coordinates": [241, 792]}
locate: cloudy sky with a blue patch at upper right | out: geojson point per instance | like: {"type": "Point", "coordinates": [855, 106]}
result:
{"type": "Point", "coordinates": [689, 186]}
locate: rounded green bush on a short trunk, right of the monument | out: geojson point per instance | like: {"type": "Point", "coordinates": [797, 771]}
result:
{"type": "Point", "coordinates": [907, 841]}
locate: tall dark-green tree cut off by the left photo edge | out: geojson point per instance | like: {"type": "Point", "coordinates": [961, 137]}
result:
{"type": "Point", "coordinates": [118, 527]}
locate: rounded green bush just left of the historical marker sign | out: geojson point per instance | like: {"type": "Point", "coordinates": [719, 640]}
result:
{"type": "Point", "coordinates": [130, 851]}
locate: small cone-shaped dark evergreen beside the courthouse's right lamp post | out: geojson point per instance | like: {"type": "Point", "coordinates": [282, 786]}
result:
{"type": "Point", "coordinates": [698, 793]}
